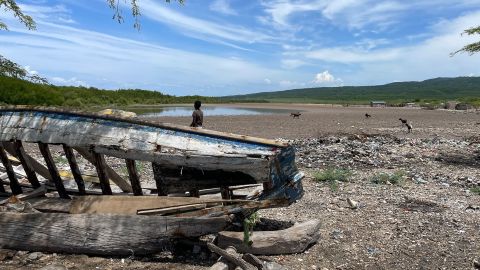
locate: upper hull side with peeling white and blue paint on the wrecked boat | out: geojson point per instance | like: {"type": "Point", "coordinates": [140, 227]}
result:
{"type": "Point", "coordinates": [141, 141]}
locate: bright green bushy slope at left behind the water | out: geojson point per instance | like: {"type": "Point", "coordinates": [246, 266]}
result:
{"type": "Point", "coordinates": [16, 91]}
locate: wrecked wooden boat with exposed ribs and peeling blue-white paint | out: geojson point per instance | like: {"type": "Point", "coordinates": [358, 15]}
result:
{"type": "Point", "coordinates": [189, 165]}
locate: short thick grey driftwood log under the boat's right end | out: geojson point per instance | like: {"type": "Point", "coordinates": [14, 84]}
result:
{"type": "Point", "coordinates": [292, 240]}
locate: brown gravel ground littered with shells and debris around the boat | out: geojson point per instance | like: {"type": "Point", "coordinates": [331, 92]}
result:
{"type": "Point", "coordinates": [428, 220]}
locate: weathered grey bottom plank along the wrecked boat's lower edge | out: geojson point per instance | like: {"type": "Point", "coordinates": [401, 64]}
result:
{"type": "Point", "coordinates": [120, 235]}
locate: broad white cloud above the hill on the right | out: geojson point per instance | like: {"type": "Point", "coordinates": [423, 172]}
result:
{"type": "Point", "coordinates": [426, 59]}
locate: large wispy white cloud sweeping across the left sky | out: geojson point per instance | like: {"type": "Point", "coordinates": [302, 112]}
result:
{"type": "Point", "coordinates": [67, 53]}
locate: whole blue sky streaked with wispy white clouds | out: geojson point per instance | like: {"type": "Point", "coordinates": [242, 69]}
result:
{"type": "Point", "coordinates": [224, 47]}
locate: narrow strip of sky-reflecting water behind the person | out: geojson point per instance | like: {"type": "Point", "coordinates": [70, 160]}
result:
{"type": "Point", "coordinates": [207, 111]}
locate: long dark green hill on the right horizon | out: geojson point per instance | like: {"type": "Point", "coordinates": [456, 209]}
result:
{"type": "Point", "coordinates": [433, 90]}
